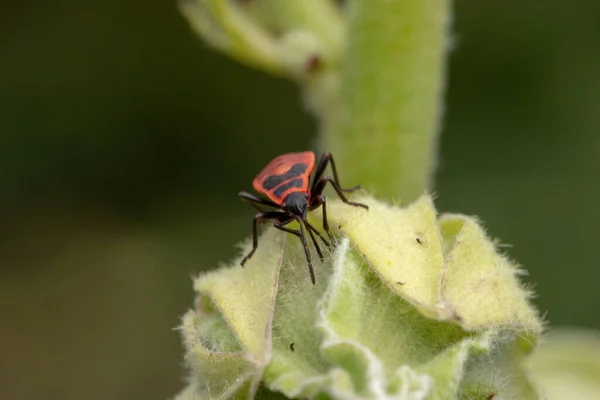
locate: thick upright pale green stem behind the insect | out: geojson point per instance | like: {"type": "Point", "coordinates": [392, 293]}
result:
{"type": "Point", "coordinates": [384, 129]}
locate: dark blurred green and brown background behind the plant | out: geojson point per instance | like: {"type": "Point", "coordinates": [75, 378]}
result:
{"type": "Point", "coordinates": [124, 141]}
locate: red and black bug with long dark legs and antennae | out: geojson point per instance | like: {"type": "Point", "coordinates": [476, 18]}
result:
{"type": "Point", "coordinates": [285, 181]}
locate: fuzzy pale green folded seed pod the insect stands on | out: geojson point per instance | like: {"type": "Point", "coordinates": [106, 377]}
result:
{"type": "Point", "coordinates": [376, 324]}
